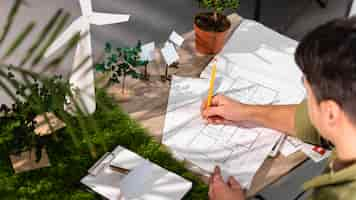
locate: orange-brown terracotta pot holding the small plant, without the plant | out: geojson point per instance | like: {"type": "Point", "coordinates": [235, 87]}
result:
{"type": "Point", "coordinates": [209, 42]}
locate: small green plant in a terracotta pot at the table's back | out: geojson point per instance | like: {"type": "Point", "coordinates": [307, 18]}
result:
{"type": "Point", "coordinates": [212, 27]}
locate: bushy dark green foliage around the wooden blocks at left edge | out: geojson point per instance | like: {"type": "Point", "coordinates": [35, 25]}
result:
{"type": "Point", "coordinates": [41, 97]}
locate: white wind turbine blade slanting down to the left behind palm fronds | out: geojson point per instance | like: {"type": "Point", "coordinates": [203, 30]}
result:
{"type": "Point", "coordinates": [77, 26]}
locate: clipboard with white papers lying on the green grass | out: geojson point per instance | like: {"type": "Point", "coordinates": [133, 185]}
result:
{"type": "Point", "coordinates": [109, 177]}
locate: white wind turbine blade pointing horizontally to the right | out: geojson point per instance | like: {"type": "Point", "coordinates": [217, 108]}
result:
{"type": "Point", "coordinates": [104, 18]}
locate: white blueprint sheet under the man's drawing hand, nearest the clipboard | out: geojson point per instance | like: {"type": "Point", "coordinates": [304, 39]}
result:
{"type": "Point", "coordinates": [238, 150]}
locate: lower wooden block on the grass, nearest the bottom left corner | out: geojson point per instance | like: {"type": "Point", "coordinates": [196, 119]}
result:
{"type": "Point", "coordinates": [26, 161]}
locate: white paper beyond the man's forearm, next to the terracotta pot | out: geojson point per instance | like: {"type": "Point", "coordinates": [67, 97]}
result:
{"type": "Point", "coordinates": [260, 54]}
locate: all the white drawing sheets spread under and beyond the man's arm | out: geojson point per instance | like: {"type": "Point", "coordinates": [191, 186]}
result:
{"type": "Point", "coordinates": [255, 67]}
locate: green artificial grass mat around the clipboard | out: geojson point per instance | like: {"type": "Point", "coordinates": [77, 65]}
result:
{"type": "Point", "coordinates": [70, 157]}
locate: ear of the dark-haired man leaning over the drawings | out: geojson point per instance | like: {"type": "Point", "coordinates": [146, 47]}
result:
{"type": "Point", "coordinates": [331, 112]}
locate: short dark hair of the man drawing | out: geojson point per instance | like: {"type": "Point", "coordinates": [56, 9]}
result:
{"type": "Point", "coordinates": [327, 57]}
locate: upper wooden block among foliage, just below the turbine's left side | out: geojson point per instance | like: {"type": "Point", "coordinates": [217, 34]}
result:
{"type": "Point", "coordinates": [43, 126]}
